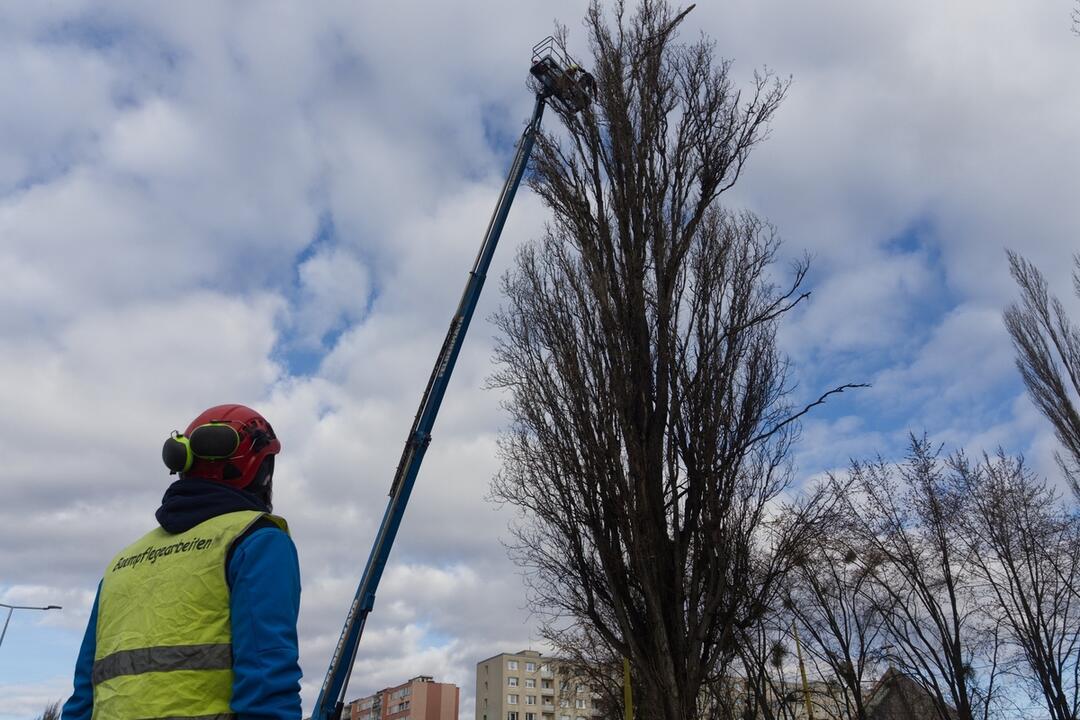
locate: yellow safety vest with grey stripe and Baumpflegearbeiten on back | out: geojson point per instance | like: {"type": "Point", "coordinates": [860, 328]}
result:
{"type": "Point", "coordinates": [165, 642]}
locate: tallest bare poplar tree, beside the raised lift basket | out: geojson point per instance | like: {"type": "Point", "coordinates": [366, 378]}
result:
{"type": "Point", "coordinates": [650, 404]}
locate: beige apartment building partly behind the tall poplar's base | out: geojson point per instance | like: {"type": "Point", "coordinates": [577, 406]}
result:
{"type": "Point", "coordinates": [526, 686]}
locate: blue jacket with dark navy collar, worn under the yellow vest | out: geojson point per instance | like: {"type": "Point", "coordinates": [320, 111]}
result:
{"type": "Point", "coordinates": [264, 579]}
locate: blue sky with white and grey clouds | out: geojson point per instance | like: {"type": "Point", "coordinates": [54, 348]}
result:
{"type": "Point", "coordinates": [277, 205]}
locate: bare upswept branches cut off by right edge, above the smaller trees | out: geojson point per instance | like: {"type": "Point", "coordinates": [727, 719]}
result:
{"type": "Point", "coordinates": [1048, 356]}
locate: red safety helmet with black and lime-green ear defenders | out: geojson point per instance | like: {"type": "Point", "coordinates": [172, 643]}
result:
{"type": "Point", "coordinates": [226, 444]}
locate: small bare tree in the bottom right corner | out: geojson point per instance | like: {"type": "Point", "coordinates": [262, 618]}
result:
{"type": "Point", "coordinates": [1028, 554]}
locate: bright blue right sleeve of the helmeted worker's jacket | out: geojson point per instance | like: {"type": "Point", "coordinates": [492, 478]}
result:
{"type": "Point", "coordinates": [265, 602]}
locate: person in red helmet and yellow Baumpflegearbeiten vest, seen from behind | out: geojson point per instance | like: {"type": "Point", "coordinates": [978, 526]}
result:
{"type": "Point", "coordinates": [197, 619]}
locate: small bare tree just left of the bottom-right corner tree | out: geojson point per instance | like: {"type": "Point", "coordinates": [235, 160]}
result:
{"type": "Point", "coordinates": [923, 579]}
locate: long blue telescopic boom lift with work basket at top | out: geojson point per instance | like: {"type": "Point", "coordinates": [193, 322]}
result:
{"type": "Point", "coordinates": [556, 79]}
